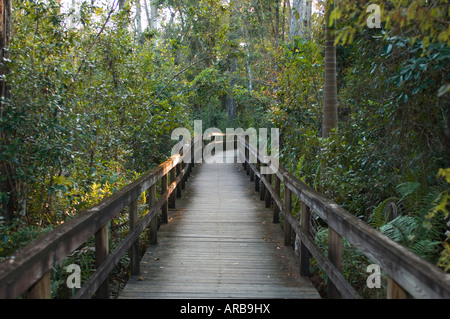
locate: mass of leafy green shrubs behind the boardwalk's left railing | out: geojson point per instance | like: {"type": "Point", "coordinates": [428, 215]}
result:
{"type": "Point", "coordinates": [79, 124]}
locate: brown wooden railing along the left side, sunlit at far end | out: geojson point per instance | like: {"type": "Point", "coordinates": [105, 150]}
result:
{"type": "Point", "coordinates": [28, 270]}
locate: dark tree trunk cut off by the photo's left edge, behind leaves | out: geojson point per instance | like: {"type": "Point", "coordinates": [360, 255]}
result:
{"type": "Point", "coordinates": [7, 195]}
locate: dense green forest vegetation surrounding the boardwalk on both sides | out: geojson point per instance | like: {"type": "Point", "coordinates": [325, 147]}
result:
{"type": "Point", "coordinates": [94, 96]}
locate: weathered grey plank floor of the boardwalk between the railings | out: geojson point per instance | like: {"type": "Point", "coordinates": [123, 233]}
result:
{"type": "Point", "coordinates": [220, 242]}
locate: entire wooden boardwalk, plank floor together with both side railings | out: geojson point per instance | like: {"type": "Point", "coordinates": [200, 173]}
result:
{"type": "Point", "coordinates": [220, 241]}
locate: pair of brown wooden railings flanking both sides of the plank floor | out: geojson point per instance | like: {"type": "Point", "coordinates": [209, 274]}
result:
{"type": "Point", "coordinates": [29, 269]}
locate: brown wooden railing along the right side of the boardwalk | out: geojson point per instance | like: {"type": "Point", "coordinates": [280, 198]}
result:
{"type": "Point", "coordinates": [407, 273]}
